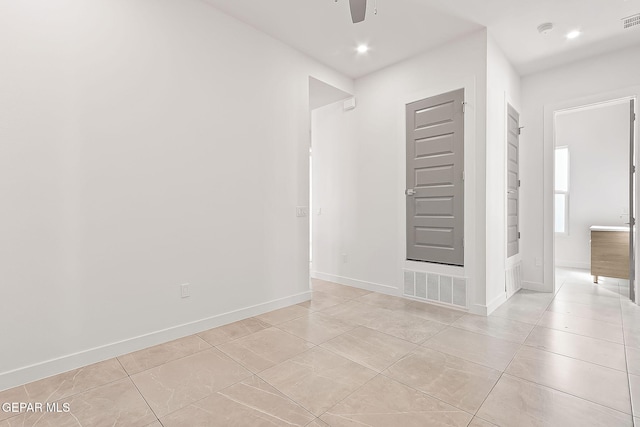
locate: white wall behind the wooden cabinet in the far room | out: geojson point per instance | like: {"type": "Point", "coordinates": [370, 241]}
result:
{"type": "Point", "coordinates": [598, 141]}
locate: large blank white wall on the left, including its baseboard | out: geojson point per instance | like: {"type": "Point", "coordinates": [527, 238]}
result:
{"type": "Point", "coordinates": [144, 144]}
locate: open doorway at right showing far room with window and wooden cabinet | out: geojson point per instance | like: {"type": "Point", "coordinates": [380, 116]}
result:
{"type": "Point", "coordinates": [593, 195]}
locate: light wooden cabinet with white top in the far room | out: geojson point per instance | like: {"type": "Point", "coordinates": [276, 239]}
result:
{"type": "Point", "coordinates": [609, 252]}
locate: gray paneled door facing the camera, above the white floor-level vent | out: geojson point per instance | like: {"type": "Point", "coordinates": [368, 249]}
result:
{"type": "Point", "coordinates": [435, 187]}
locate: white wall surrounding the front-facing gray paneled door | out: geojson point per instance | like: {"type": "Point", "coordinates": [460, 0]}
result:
{"type": "Point", "coordinates": [367, 170]}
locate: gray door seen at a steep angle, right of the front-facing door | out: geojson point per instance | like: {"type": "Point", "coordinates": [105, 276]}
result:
{"type": "Point", "coordinates": [513, 182]}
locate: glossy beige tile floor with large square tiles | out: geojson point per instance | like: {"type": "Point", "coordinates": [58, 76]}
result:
{"type": "Point", "coordinates": [350, 357]}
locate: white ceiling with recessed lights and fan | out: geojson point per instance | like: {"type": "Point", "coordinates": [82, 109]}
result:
{"type": "Point", "coordinates": [323, 30]}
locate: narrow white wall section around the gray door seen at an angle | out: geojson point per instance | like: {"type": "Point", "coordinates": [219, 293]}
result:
{"type": "Point", "coordinates": [503, 86]}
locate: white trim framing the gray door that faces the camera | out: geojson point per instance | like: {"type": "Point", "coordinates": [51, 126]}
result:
{"type": "Point", "coordinates": [469, 270]}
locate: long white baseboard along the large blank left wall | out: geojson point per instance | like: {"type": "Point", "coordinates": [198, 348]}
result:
{"type": "Point", "coordinates": [66, 363]}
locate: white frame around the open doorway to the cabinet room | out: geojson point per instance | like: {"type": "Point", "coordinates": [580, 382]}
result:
{"type": "Point", "coordinates": [550, 110]}
